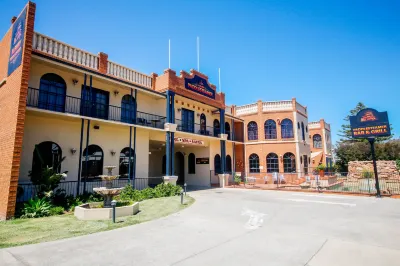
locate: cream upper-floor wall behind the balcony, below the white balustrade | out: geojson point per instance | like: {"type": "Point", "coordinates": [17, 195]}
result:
{"type": "Point", "coordinates": [145, 102]}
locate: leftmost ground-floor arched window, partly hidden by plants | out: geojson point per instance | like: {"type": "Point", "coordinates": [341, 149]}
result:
{"type": "Point", "coordinates": [46, 154]}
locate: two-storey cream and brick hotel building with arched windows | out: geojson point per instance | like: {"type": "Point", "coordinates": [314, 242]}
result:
{"type": "Point", "coordinates": [79, 112]}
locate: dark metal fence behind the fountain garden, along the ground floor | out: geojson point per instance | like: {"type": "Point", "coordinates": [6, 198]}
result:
{"type": "Point", "coordinates": [27, 190]}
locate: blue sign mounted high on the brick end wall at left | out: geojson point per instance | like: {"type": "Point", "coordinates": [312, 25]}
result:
{"type": "Point", "coordinates": [17, 43]}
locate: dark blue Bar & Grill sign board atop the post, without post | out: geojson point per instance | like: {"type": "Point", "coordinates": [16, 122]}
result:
{"type": "Point", "coordinates": [370, 123]}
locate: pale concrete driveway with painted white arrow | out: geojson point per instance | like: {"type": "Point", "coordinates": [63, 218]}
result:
{"type": "Point", "coordinates": [241, 227]}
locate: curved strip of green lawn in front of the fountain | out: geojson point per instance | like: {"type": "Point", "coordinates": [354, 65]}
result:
{"type": "Point", "coordinates": [28, 231]}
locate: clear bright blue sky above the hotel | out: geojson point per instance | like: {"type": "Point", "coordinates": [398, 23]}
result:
{"type": "Point", "coordinates": [328, 54]}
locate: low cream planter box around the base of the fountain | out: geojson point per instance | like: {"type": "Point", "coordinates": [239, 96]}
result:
{"type": "Point", "coordinates": [85, 212]}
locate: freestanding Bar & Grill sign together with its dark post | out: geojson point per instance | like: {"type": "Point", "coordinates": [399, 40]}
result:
{"type": "Point", "coordinates": [369, 124]}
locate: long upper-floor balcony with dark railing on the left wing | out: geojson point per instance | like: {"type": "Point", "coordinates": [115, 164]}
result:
{"type": "Point", "coordinates": [66, 104]}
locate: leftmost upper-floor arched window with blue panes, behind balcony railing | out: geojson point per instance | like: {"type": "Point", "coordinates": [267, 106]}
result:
{"type": "Point", "coordinates": [52, 92]}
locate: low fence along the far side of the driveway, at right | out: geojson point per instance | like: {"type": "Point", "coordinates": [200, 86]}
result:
{"type": "Point", "coordinates": [329, 181]}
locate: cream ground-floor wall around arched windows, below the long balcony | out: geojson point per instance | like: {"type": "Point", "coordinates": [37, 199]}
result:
{"type": "Point", "coordinates": [66, 133]}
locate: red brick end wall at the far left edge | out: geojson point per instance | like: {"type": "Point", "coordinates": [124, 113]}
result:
{"type": "Point", "coordinates": [12, 108]}
